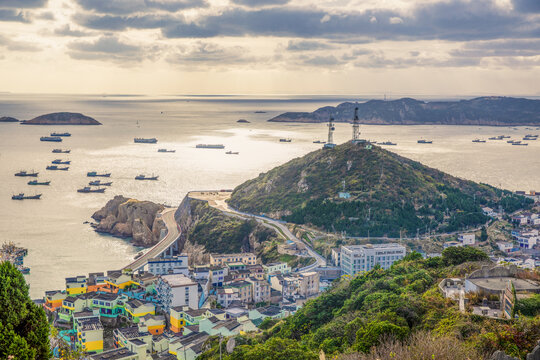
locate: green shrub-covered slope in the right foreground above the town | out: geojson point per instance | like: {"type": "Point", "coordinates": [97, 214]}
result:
{"type": "Point", "coordinates": [398, 311]}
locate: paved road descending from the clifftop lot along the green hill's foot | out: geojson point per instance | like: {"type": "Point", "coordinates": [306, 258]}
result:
{"type": "Point", "coordinates": [319, 260]}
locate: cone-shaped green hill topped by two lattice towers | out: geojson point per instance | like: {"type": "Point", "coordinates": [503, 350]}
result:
{"type": "Point", "coordinates": [388, 194]}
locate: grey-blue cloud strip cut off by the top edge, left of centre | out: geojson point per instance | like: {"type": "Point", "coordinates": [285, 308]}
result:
{"type": "Point", "coordinates": [124, 7]}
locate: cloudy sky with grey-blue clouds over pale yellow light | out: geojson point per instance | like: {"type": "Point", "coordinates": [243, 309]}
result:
{"type": "Point", "coordinates": [408, 47]}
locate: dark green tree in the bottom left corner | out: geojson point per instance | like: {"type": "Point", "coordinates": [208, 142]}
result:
{"type": "Point", "coordinates": [24, 330]}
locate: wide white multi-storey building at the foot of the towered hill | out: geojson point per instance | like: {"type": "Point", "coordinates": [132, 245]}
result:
{"type": "Point", "coordinates": [357, 258]}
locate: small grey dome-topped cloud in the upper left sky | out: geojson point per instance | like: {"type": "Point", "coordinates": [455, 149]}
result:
{"type": "Point", "coordinates": [108, 48]}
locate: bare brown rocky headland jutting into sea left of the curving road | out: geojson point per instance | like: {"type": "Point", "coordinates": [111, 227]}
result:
{"type": "Point", "coordinates": [126, 217]}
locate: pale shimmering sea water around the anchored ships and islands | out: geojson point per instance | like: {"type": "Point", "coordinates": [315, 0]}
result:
{"type": "Point", "coordinates": [60, 245]}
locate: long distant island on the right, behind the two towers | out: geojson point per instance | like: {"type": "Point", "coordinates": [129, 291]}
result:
{"type": "Point", "coordinates": [488, 111]}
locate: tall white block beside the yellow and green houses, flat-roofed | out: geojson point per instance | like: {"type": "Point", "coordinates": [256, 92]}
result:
{"type": "Point", "coordinates": [177, 290]}
